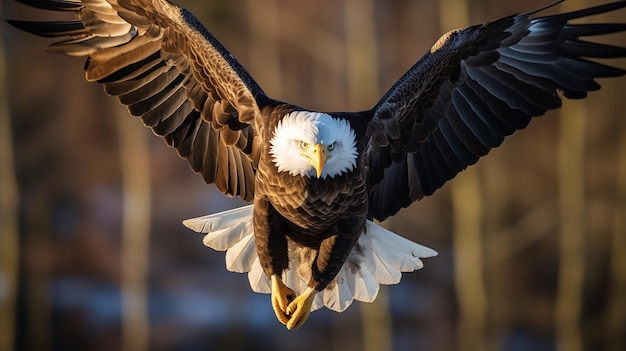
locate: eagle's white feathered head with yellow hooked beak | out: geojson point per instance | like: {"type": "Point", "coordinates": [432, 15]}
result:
{"type": "Point", "coordinates": [312, 144]}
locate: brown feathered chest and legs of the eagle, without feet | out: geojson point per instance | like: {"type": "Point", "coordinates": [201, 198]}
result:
{"type": "Point", "coordinates": [324, 214]}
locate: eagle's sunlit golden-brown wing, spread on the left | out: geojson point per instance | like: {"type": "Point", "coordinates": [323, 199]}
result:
{"type": "Point", "coordinates": [159, 60]}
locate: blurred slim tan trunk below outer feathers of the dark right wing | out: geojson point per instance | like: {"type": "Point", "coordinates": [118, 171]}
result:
{"type": "Point", "coordinates": [571, 173]}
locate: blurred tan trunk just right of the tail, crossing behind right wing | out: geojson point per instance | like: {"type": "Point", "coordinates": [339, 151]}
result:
{"type": "Point", "coordinates": [468, 214]}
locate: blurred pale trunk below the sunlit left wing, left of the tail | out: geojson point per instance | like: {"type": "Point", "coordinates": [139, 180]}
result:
{"type": "Point", "coordinates": [134, 156]}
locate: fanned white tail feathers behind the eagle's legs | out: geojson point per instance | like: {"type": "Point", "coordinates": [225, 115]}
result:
{"type": "Point", "coordinates": [381, 258]}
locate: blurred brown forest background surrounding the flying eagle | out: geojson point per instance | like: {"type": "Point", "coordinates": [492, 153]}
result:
{"type": "Point", "coordinates": [93, 255]}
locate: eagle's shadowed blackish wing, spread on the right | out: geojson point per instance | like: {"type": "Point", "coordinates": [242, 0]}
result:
{"type": "Point", "coordinates": [475, 87]}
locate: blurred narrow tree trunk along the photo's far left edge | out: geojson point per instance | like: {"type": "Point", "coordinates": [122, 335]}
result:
{"type": "Point", "coordinates": [9, 235]}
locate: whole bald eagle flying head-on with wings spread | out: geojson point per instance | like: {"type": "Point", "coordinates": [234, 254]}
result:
{"type": "Point", "coordinates": [318, 179]}
